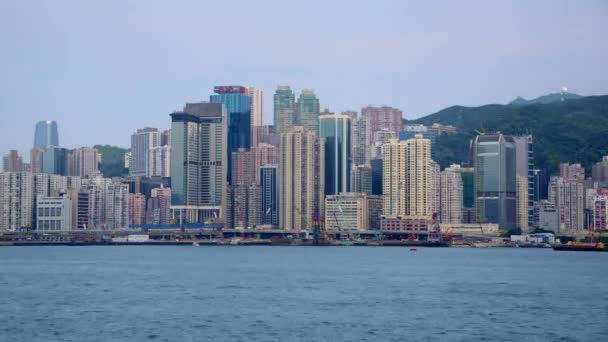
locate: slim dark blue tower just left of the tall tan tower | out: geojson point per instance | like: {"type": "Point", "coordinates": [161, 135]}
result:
{"type": "Point", "coordinates": [269, 194]}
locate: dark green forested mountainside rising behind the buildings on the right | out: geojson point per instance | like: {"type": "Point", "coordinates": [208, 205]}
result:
{"type": "Point", "coordinates": [565, 131]}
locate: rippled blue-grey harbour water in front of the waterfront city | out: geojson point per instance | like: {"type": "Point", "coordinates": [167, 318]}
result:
{"type": "Point", "coordinates": [186, 293]}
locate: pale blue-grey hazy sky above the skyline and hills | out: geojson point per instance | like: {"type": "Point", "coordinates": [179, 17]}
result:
{"type": "Point", "coordinates": [103, 69]}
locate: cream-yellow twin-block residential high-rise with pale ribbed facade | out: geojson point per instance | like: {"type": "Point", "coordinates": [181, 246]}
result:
{"type": "Point", "coordinates": [407, 178]}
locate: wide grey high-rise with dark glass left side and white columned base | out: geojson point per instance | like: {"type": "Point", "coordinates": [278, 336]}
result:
{"type": "Point", "coordinates": [198, 162]}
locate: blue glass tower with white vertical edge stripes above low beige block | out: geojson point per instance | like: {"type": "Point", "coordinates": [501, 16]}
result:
{"type": "Point", "coordinates": [335, 129]}
